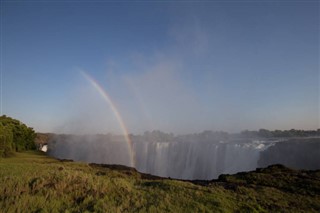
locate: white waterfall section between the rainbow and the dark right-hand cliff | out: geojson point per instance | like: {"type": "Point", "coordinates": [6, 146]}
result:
{"type": "Point", "coordinates": [190, 160]}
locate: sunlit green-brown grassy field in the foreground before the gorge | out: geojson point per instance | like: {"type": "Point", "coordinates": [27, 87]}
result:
{"type": "Point", "coordinates": [33, 182]}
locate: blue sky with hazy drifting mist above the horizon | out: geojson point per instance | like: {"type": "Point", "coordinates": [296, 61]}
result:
{"type": "Point", "coordinates": [175, 66]}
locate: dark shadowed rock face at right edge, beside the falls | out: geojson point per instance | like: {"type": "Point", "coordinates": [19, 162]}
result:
{"type": "Point", "coordinates": [294, 153]}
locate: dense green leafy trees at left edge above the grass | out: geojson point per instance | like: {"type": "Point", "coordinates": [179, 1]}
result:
{"type": "Point", "coordinates": [15, 136]}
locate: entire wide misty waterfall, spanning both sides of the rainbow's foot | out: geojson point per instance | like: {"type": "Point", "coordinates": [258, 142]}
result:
{"type": "Point", "coordinates": [176, 159]}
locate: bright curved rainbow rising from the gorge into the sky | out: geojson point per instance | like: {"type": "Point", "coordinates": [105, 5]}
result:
{"type": "Point", "coordinates": [115, 111]}
